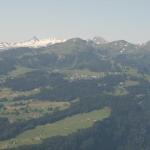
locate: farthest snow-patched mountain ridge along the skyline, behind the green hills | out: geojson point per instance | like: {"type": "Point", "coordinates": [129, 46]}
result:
{"type": "Point", "coordinates": [37, 43]}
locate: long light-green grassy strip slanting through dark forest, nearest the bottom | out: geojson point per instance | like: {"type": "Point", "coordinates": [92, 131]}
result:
{"type": "Point", "coordinates": [60, 128]}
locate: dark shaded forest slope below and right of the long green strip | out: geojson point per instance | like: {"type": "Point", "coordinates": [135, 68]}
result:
{"type": "Point", "coordinates": [126, 129]}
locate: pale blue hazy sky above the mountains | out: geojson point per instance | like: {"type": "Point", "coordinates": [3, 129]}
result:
{"type": "Point", "coordinates": [112, 19]}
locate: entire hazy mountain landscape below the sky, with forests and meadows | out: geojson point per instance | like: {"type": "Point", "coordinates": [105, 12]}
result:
{"type": "Point", "coordinates": [75, 95]}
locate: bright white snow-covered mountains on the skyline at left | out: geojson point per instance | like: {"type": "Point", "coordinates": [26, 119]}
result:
{"type": "Point", "coordinates": [32, 43]}
